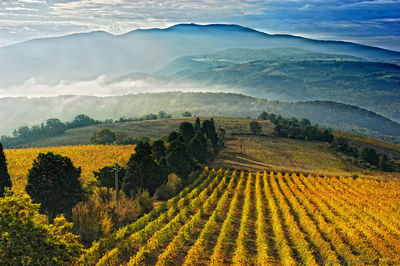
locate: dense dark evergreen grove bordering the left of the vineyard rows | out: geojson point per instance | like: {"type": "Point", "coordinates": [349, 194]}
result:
{"type": "Point", "coordinates": [177, 153]}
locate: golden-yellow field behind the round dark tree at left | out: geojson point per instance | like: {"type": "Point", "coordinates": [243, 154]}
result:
{"type": "Point", "coordinates": [89, 157]}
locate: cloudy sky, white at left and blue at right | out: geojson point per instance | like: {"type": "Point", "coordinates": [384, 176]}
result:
{"type": "Point", "coordinates": [371, 22]}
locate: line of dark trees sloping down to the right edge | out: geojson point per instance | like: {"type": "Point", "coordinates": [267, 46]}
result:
{"type": "Point", "coordinates": [366, 157]}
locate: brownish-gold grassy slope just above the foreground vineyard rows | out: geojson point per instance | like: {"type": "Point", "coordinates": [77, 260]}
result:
{"type": "Point", "coordinates": [288, 155]}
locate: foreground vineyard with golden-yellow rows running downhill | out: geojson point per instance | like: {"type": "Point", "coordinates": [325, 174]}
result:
{"type": "Point", "coordinates": [246, 218]}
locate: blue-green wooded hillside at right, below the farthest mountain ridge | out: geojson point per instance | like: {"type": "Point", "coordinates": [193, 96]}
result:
{"type": "Point", "coordinates": [294, 75]}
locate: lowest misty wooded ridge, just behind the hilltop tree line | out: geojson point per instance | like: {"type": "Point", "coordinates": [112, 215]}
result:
{"type": "Point", "coordinates": [338, 116]}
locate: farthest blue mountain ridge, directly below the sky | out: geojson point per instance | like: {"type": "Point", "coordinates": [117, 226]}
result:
{"type": "Point", "coordinates": [89, 55]}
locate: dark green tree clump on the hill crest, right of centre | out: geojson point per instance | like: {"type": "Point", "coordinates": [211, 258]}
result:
{"type": "Point", "coordinates": [297, 129]}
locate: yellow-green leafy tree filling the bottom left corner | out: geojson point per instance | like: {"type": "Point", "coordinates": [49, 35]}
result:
{"type": "Point", "coordinates": [25, 239]}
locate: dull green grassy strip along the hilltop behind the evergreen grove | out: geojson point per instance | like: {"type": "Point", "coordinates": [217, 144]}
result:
{"type": "Point", "coordinates": [150, 128]}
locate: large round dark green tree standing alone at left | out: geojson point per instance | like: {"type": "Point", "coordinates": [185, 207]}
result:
{"type": "Point", "coordinates": [53, 181]}
